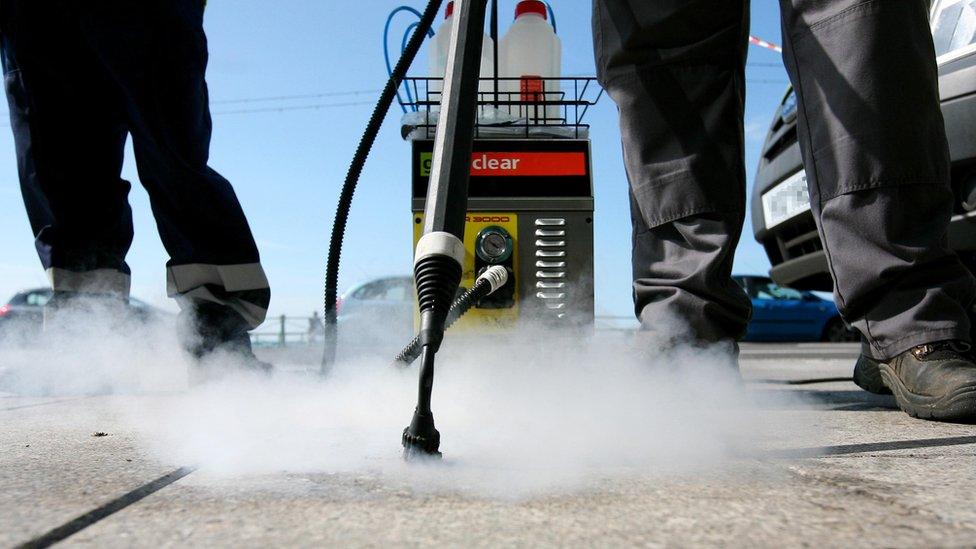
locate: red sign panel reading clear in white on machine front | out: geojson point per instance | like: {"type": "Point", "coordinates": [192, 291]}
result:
{"type": "Point", "coordinates": [522, 164]}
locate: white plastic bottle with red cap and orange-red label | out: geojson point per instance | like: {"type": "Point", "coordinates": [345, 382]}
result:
{"type": "Point", "coordinates": [530, 51]}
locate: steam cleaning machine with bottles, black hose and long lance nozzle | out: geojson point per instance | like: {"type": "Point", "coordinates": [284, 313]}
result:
{"type": "Point", "coordinates": [502, 195]}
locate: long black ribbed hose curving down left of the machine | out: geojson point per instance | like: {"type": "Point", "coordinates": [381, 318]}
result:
{"type": "Point", "coordinates": [356, 168]}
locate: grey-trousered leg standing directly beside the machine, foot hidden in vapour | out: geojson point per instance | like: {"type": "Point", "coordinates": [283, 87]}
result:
{"type": "Point", "coordinates": [675, 69]}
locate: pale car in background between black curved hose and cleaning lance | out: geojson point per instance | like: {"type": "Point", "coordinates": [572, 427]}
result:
{"type": "Point", "coordinates": [376, 317]}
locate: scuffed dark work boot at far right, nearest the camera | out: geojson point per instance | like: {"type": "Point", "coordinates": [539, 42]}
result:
{"type": "Point", "coordinates": [935, 381]}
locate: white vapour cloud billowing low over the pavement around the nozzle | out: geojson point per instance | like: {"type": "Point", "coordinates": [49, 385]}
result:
{"type": "Point", "coordinates": [539, 412]}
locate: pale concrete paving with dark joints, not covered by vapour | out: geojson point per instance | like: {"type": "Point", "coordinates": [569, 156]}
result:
{"type": "Point", "coordinates": [835, 466]}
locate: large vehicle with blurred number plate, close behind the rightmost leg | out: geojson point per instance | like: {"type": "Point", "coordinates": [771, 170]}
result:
{"type": "Point", "coordinates": [781, 215]}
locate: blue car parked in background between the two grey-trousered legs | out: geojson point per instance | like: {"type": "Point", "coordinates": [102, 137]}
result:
{"type": "Point", "coordinates": [784, 314]}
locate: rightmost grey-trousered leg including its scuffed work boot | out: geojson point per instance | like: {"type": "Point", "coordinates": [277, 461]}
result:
{"type": "Point", "coordinates": [874, 147]}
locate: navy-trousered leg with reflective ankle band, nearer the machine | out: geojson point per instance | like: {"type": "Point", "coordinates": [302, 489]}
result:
{"type": "Point", "coordinates": [157, 52]}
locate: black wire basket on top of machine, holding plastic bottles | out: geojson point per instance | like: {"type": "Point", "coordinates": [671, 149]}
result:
{"type": "Point", "coordinates": [508, 107]}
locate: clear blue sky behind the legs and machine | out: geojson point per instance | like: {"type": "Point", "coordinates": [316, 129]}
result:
{"type": "Point", "coordinates": [287, 166]}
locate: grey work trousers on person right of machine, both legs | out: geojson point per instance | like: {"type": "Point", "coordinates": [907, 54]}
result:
{"type": "Point", "coordinates": [873, 143]}
